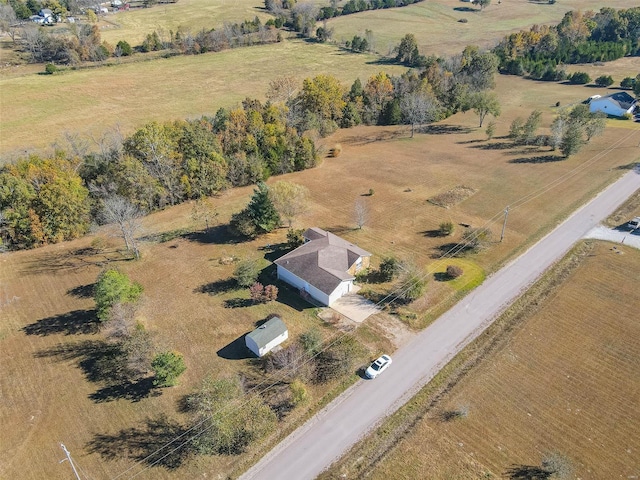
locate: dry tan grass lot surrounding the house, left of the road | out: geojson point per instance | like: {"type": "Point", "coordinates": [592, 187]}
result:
{"type": "Point", "coordinates": [47, 397]}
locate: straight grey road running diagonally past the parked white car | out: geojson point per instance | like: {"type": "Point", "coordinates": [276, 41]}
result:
{"type": "Point", "coordinates": [314, 446]}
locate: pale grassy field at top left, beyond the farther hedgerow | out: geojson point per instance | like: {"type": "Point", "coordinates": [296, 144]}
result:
{"type": "Point", "coordinates": [185, 15]}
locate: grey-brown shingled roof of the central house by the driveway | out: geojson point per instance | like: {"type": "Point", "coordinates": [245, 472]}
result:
{"type": "Point", "coordinates": [323, 261]}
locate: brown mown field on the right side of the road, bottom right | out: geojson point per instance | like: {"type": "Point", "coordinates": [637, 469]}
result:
{"type": "Point", "coordinates": [568, 382]}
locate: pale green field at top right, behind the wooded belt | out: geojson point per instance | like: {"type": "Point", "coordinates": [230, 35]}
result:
{"type": "Point", "coordinates": [435, 23]}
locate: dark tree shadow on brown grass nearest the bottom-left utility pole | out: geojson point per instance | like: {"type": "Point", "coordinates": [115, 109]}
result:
{"type": "Point", "coordinates": [149, 444]}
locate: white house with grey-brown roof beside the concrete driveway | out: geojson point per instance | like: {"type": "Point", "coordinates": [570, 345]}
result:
{"type": "Point", "coordinates": [324, 267]}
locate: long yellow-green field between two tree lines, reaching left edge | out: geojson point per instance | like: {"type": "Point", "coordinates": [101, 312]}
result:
{"type": "Point", "coordinates": [39, 109]}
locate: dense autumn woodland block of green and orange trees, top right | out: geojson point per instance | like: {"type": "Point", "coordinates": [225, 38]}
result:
{"type": "Point", "coordinates": [581, 37]}
